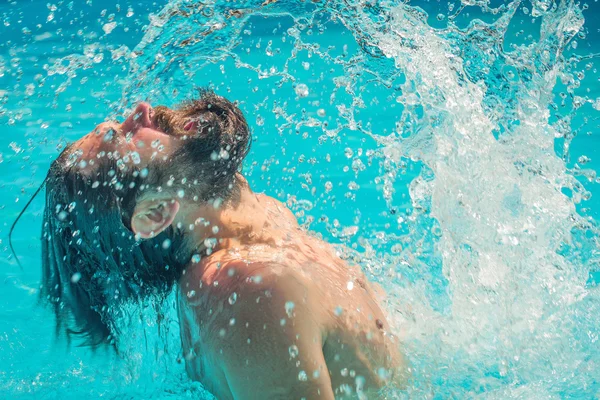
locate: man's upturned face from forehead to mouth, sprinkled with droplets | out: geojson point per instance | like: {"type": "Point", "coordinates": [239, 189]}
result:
{"type": "Point", "coordinates": [138, 141]}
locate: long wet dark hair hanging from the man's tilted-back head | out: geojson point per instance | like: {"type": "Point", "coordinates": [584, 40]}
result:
{"type": "Point", "coordinates": [91, 261]}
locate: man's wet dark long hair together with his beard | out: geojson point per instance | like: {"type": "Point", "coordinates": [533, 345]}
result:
{"type": "Point", "coordinates": [91, 260]}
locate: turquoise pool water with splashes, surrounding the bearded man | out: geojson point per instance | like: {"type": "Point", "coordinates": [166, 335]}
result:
{"type": "Point", "coordinates": [451, 154]}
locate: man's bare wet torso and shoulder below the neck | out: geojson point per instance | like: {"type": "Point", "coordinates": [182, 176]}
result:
{"type": "Point", "coordinates": [288, 315]}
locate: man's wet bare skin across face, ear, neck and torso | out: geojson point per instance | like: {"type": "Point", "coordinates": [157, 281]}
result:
{"type": "Point", "coordinates": [272, 312]}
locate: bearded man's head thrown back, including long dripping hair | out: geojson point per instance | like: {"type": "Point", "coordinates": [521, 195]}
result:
{"type": "Point", "coordinates": [112, 198]}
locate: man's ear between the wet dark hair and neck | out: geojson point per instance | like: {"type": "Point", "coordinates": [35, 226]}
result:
{"type": "Point", "coordinates": [151, 217]}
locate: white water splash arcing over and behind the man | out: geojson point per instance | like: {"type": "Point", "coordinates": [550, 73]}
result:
{"type": "Point", "coordinates": [488, 290]}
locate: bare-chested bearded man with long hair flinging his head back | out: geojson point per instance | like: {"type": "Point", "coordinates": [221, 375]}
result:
{"type": "Point", "coordinates": [266, 310]}
